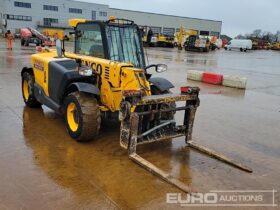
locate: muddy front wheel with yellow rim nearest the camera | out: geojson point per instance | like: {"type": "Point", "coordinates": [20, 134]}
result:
{"type": "Point", "coordinates": [86, 116]}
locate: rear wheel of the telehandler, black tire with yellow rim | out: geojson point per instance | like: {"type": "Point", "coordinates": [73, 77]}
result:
{"type": "Point", "coordinates": [27, 87]}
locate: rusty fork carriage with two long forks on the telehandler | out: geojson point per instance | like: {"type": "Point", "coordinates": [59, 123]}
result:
{"type": "Point", "coordinates": [146, 125]}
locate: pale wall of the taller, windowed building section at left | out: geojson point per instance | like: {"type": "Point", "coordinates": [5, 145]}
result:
{"type": "Point", "coordinates": [37, 13]}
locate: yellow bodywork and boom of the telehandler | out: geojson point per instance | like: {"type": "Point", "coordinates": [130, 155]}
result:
{"type": "Point", "coordinates": [116, 77]}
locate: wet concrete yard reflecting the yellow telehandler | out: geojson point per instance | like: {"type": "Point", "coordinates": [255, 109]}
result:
{"type": "Point", "coordinates": [41, 167]}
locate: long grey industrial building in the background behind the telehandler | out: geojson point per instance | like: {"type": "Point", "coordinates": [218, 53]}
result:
{"type": "Point", "coordinates": [41, 14]}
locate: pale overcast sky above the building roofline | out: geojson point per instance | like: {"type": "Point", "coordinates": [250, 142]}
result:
{"type": "Point", "coordinates": [238, 16]}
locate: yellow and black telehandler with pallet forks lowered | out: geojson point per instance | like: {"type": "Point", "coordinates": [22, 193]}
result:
{"type": "Point", "coordinates": [107, 74]}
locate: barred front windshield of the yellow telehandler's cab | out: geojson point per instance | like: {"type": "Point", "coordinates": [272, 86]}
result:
{"type": "Point", "coordinates": [124, 45]}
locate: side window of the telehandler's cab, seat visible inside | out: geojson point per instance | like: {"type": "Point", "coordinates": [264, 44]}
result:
{"type": "Point", "coordinates": [90, 41]}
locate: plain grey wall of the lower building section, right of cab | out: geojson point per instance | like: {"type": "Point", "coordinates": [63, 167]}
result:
{"type": "Point", "coordinates": [167, 21]}
